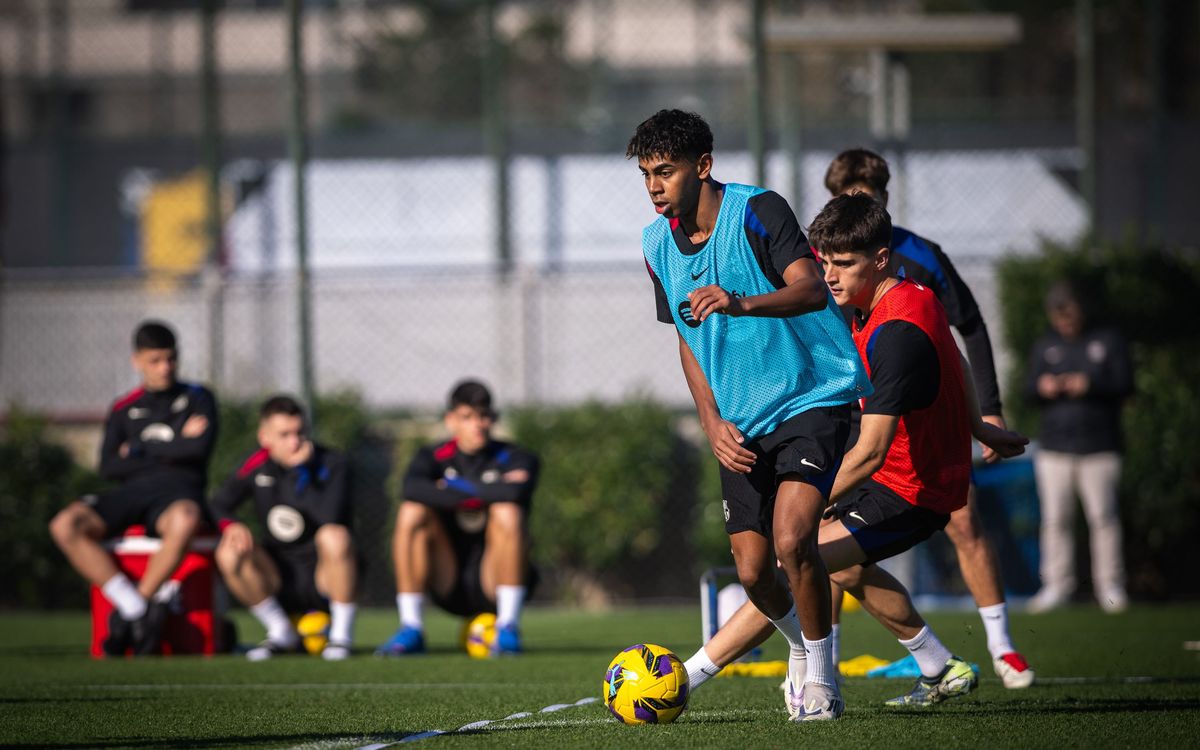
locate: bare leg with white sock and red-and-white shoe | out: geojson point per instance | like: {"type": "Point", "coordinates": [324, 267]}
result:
{"type": "Point", "coordinates": [981, 573]}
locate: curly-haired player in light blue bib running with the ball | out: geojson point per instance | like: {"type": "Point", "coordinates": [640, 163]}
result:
{"type": "Point", "coordinates": [772, 370]}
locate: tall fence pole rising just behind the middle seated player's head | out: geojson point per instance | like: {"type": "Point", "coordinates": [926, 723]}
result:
{"type": "Point", "coordinates": [298, 148]}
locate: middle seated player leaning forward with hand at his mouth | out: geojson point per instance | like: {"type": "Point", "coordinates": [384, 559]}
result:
{"type": "Point", "coordinates": [307, 556]}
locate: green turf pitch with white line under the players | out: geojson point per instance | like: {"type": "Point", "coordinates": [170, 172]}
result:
{"type": "Point", "coordinates": [53, 695]}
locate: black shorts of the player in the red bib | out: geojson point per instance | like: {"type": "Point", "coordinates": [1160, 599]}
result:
{"type": "Point", "coordinates": [884, 524]}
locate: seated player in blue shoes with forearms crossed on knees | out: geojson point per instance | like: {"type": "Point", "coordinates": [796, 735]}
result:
{"type": "Point", "coordinates": [461, 530]}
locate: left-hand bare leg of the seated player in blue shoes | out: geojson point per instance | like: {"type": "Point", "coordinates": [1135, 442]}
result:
{"type": "Point", "coordinates": [425, 562]}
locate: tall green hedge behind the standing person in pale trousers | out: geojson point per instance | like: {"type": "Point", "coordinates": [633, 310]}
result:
{"type": "Point", "coordinates": [1147, 293]}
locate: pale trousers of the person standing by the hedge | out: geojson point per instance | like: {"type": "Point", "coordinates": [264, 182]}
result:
{"type": "Point", "coordinates": [1095, 477]}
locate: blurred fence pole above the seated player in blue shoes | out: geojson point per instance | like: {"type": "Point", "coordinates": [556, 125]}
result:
{"type": "Point", "coordinates": [496, 134]}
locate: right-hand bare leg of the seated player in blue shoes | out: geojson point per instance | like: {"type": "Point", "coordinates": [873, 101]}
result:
{"type": "Point", "coordinates": [503, 572]}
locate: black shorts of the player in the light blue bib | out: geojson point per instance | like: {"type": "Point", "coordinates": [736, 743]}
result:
{"type": "Point", "coordinates": [809, 445]}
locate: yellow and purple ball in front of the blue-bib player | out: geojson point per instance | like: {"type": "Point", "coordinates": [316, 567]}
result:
{"type": "Point", "coordinates": [646, 685]}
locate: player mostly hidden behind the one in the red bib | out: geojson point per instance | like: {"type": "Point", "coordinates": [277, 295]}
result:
{"type": "Point", "coordinates": [922, 261]}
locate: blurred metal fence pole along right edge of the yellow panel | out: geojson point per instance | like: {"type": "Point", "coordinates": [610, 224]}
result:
{"type": "Point", "coordinates": [212, 160]}
